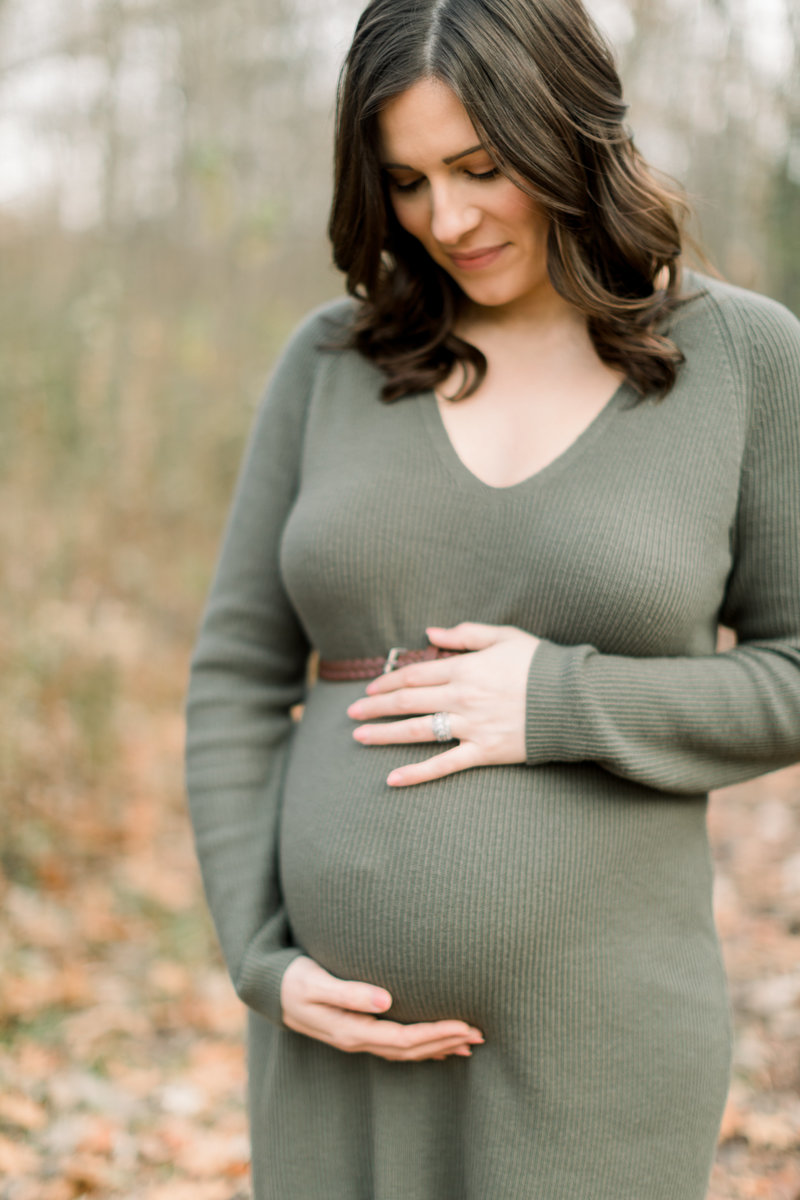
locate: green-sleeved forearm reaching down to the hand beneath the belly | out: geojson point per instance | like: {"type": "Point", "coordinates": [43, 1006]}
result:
{"type": "Point", "coordinates": [239, 733]}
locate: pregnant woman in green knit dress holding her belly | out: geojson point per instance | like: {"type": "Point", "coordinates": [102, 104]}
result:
{"type": "Point", "coordinates": [467, 898]}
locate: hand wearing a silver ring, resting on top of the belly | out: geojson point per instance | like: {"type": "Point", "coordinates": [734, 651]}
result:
{"type": "Point", "coordinates": [483, 693]}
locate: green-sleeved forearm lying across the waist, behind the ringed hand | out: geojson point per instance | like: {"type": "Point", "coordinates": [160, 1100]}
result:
{"type": "Point", "coordinates": [681, 725]}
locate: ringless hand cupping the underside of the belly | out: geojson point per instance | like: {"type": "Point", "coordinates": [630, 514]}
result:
{"type": "Point", "coordinates": [342, 1015]}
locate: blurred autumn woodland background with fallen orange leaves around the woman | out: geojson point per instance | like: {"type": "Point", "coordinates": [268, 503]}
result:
{"type": "Point", "coordinates": [165, 175]}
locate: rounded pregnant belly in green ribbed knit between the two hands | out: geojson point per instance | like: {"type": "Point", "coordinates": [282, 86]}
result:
{"type": "Point", "coordinates": [459, 893]}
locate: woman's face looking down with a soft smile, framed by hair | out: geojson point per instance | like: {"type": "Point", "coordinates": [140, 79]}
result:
{"type": "Point", "coordinates": [448, 193]}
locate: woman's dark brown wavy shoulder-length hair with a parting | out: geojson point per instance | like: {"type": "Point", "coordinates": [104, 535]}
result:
{"type": "Point", "coordinates": [539, 85]}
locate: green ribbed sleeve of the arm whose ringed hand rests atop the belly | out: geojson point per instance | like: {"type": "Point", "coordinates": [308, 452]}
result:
{"type": "Point", "coordinates": [687, 725]}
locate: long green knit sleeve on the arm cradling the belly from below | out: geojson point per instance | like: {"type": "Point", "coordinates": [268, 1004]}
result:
{"type": "Point", "coordinates": [248, 671]}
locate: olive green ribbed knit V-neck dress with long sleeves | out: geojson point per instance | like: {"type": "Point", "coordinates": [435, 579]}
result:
{"type": "Point", "coordinates": [564, 907]}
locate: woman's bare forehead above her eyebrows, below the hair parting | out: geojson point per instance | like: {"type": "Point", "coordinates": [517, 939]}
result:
{"type": "Point", "coordinates": [426, 123]}
